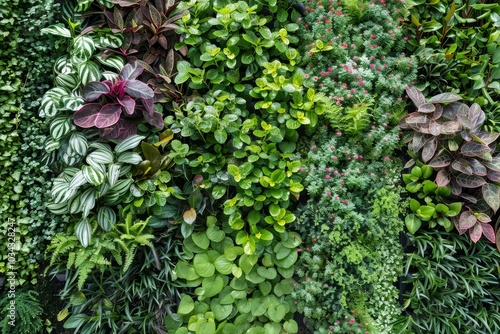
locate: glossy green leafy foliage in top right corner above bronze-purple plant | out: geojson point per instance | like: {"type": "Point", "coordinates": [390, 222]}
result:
{"type": "Point", "coordinates": [457, 46]}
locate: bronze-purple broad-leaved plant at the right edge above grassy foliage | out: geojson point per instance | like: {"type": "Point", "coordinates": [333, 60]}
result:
{"type": "Point", "coordinates": [447, 135]}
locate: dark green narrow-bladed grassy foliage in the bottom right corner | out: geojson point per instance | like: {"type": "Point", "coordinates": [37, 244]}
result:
{"type": "Point", "coordinates": [452, 285]}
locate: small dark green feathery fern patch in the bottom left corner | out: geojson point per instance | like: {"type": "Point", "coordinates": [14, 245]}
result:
{"type": "Point", "coordinates": [26, 311]}
